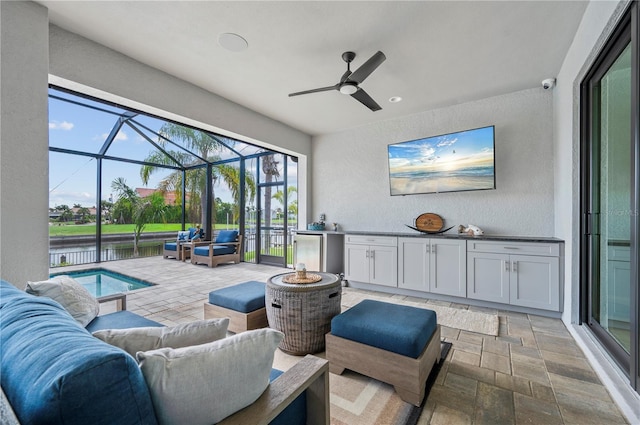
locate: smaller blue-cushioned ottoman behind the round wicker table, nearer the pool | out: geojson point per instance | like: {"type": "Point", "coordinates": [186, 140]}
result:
{"type": "Point", "coordinates": [243, 304]}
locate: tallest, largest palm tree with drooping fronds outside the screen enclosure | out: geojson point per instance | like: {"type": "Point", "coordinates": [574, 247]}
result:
{"type": "Point", "coordinates": [205, 147]}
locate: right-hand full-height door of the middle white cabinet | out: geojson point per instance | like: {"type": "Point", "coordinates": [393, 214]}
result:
{"type": "Point", "coordinates": [448, 270]}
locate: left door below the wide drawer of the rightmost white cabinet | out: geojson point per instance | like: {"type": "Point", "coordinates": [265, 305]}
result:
{"type": "Point", "coordinates": [488, 277]}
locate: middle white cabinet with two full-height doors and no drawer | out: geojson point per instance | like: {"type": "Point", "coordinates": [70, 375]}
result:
{"type": "Point", "coordinates": [433, 265]}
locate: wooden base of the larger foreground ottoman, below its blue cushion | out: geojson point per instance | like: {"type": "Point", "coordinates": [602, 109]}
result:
{"type": "Point", "coordinates": [407, 375]}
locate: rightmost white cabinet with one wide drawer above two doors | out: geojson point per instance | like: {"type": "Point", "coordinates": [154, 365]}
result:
{"type": "Point", "coordinates": [523, 274]}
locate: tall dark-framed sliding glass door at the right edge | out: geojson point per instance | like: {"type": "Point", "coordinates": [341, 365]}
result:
{"type": "Point", "coordinates": [610, 196]}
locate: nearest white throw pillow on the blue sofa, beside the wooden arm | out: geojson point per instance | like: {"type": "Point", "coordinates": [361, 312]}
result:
{"type": "Point", "coordinates": [203, 384]}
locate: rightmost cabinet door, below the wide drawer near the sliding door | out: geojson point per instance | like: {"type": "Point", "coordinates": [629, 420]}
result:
{"type": "Point", "coordinates": [535, 282]}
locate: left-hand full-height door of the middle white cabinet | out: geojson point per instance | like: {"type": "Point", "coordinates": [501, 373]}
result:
{"type": "Point", "coordinates": [413, 264]}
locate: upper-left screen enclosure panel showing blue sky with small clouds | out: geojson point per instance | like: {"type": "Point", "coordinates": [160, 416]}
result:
{"type": "Point", "coordinates": [78, 128]}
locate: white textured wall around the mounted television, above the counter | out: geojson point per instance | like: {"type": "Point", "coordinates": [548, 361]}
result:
{"type": "Point", "coordinates": [351, 182]}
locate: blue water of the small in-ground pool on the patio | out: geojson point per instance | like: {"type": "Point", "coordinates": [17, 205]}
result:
{"type": "Point", "coordinates": [101, 282]}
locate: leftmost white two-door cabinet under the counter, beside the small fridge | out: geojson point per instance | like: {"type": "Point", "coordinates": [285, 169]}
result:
{"type": "Point", "coordinates": [371, 259]}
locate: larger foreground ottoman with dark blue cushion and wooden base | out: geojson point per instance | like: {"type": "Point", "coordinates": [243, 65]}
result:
{"type": "Point", "coordinates": [392, 343]}
